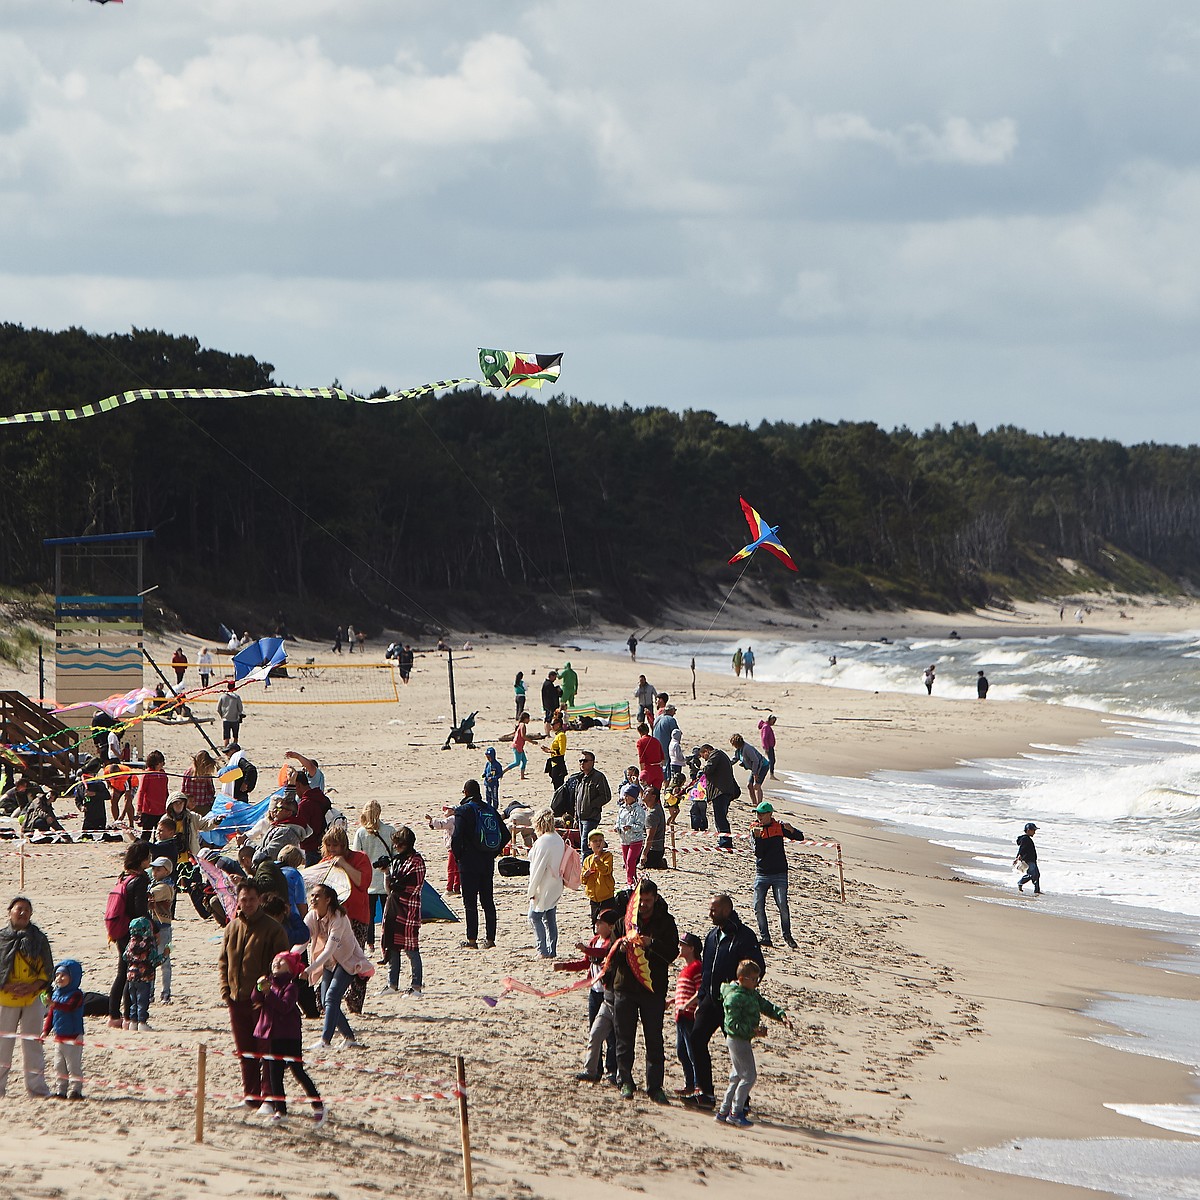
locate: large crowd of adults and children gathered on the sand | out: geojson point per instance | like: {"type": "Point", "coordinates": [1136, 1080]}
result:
{"type": "Point", "coordinates": [311, 907]}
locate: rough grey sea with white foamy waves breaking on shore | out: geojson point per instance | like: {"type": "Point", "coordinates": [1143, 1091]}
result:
{"type": "Point", "coordinates": [1119, 831]}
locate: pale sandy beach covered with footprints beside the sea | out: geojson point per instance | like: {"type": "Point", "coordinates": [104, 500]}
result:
{"type": "Point", "coordinates": [928, 1022]}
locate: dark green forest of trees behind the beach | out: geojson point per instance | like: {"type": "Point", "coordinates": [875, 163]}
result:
{"type": "Point", "coordinates": [472, 508]}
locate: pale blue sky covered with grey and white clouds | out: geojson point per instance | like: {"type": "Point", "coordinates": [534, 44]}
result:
{"type": "Point", "coordinates": [911, 214]}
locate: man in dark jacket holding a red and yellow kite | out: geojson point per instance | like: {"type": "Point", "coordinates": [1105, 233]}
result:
{"type": "Point", "coordinates": [634, 1003]}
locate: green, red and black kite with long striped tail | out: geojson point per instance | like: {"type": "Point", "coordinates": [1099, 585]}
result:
{"type": "Point", "coordinates": [501, 370]}
